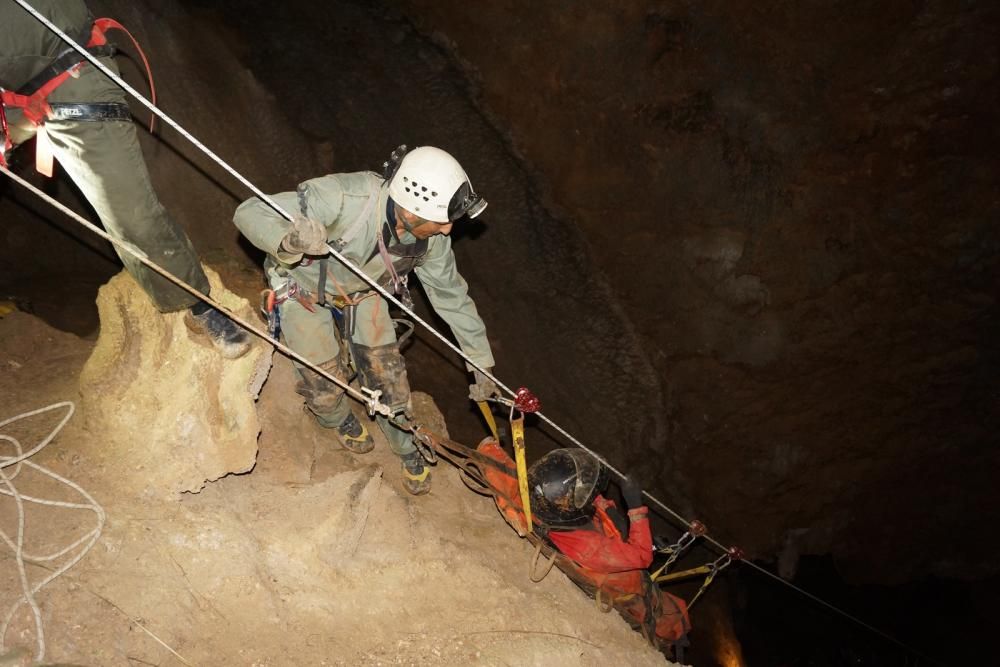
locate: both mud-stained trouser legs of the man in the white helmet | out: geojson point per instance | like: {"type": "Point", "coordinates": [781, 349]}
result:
{"type": "Point", "coordinates": [316, 336]}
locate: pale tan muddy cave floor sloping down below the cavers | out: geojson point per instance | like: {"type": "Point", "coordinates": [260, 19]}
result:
{"type": "Point", "coordinates": [315, 557]}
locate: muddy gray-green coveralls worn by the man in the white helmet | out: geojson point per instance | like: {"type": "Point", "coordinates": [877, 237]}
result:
{"type": "Point", "coordinates": [354, 208]}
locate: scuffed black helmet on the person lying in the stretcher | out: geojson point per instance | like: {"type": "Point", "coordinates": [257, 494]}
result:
{"type": "Point", "coordinates": [563, 485]}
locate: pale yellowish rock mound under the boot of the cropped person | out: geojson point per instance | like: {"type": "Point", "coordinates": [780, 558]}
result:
{"type": "Point", "coordinates": [165, 409]}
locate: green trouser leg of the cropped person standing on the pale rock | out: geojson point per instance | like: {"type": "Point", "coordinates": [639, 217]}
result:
{"type": "Point", "coordinates": [105, 162]}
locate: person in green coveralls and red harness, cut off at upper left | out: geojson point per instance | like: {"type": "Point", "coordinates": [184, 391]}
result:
{"type": "Point", "coordinates": [102, 157]}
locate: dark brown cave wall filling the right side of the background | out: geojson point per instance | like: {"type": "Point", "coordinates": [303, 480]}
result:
{"type": "Point", "coordinates": [795, 204]}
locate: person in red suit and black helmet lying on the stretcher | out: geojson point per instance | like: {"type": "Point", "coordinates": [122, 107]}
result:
{"type": "Point", "coordinates": [598, 549]}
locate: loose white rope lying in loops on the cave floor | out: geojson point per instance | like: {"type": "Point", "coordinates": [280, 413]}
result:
{"type": "Point", "coordinates": [80, 546]}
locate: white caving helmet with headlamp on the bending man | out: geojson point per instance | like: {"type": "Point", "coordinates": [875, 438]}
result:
{"type": "Point", "coordinates": [429, 182]}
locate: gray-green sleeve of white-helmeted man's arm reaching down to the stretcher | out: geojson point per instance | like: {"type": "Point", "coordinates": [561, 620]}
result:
{"type": "Point", "coordinates": [449, 295]}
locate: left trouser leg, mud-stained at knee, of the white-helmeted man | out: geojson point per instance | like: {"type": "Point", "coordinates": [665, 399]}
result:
{"type": "Point", "coordinates": [314, 335]}
